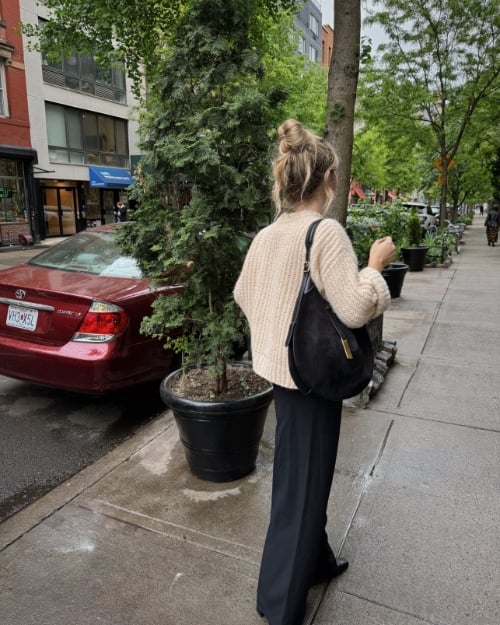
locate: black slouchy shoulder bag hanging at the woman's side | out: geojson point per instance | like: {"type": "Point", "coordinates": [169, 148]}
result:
{"type": "Point", "coordinates": [326, 358]}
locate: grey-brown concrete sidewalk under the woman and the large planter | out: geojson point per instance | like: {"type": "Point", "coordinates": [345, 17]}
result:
{"type": "Point", "coordinates": [136, 540]}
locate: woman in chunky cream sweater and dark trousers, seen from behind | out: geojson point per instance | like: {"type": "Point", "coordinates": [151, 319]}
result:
{"type": "Point", "coordinates": [296, 552]}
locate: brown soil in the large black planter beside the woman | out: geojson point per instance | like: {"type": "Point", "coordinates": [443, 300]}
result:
{"type": "Point", "coordinates": [196, 384]}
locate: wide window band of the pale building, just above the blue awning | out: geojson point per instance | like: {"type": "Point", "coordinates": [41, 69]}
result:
{"type": "Point", "coordinates": [85, 138]}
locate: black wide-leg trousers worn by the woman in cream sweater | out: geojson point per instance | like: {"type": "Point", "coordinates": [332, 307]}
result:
{"type": "Point", "coordinates": [296, 550]}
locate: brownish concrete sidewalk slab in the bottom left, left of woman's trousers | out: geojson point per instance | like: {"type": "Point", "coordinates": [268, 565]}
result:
{"type": "Point", "coordinates": [85, 569]}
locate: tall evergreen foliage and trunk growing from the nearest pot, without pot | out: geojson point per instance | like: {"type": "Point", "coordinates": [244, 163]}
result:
{"type": "Point", "coordinates": [205, 179]}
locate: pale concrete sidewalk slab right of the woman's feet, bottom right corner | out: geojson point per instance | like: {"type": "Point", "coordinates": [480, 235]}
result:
{"type": "Point", "coordinates": [423, 540]}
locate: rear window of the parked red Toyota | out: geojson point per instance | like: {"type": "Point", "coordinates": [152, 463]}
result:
{"type": "Point", "coordinates": [94, 253]}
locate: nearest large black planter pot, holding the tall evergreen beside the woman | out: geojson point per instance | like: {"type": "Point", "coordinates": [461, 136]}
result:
{"type": "Point", "coordinates": [220, 439]}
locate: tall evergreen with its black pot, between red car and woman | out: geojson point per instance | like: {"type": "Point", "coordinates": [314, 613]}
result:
{"type": "Point", "coordinates": [202, 190]}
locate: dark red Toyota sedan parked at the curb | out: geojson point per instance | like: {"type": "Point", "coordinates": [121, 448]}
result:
{"type": "Point", "coordinates": [70, 318]}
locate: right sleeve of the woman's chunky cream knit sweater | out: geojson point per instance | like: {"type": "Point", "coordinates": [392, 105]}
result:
{"type": "Point", "coordinates": [356, 296]}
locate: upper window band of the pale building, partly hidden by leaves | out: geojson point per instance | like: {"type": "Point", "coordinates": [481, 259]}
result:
{"type": "Point", "coordinates": [81, 73]}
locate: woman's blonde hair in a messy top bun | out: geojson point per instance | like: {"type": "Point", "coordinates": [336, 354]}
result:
{"type": "Point", "coordinates": [300, 167]}
